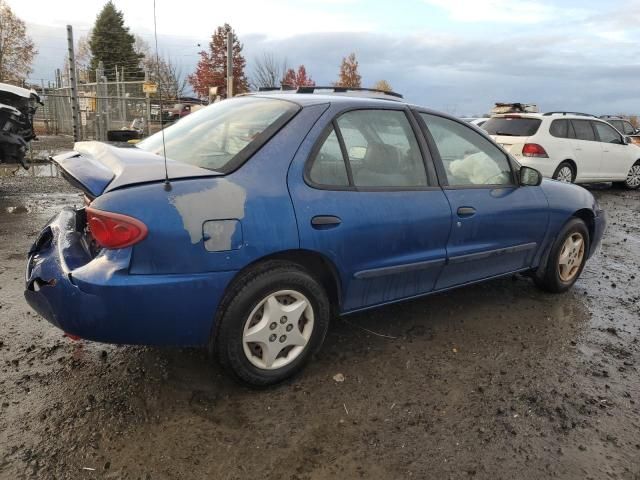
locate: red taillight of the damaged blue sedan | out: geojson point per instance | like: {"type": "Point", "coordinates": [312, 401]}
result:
{"type": "Point", "coordinates": [114, 230]}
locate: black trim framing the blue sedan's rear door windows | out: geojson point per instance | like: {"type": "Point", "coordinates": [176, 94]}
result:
{"type": "Point", "coordinates": [432, 183]}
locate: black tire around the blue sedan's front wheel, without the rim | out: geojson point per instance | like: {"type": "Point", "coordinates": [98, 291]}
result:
{"type": "Point", "coordinates": [548, 276]}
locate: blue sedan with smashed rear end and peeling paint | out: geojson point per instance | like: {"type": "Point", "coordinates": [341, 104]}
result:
{"type": "Point", "coordinates": [246, 226]}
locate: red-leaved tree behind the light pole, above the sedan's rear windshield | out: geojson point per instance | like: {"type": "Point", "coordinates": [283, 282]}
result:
{"type": "Point", "coordinates": [211, 70]}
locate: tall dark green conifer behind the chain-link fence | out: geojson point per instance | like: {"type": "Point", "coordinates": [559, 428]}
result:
{"type": "Point", "coordinates": [112, 44]}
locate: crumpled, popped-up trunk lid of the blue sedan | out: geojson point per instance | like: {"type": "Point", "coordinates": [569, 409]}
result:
{"type": "Point", "coordinates": [97, 167]}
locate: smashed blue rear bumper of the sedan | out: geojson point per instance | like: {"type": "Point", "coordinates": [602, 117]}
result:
{"type": "Point", "coordinates": [97, 298]}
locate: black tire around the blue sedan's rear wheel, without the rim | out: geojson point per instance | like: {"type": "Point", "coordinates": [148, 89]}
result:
{"type": "Point", "coordinates": [245, 294]}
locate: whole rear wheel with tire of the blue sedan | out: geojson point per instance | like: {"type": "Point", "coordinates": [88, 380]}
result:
{"type": "Point", "coordinates": [274, 319]}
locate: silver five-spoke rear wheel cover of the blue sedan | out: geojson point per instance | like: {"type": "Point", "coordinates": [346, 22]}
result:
{"type": "Point", "coordinates": [278, 330]}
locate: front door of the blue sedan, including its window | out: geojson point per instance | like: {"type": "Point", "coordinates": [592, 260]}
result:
{"type": "Point", "coordinates": [496, 223]}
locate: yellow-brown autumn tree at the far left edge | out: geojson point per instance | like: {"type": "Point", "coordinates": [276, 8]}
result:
{"type": "Point", "coordinates": [17, 50]}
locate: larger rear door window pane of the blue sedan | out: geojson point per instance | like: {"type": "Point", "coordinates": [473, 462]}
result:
{"type": "Point", "coordinates": [382, 149]}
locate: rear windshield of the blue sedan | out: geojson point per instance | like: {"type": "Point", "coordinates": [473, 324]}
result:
{"type": "Point", "coordinates": [221, 136]}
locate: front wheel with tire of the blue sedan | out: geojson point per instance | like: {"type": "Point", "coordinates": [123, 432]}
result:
{"type": "Point", "coordinates": [566, 259]}
